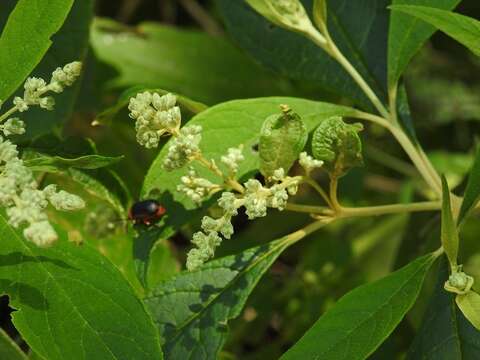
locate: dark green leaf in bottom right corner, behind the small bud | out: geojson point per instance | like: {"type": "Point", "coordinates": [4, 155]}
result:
{"type": "Point", "coordinates": [445, 334]}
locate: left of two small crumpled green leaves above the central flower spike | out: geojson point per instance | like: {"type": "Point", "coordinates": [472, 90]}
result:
{"type": "Point", "coordinates": [282, 139]}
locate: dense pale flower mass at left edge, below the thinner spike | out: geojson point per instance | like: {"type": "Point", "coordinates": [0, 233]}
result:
{"type": "Point", "coordinates": [24, 202]}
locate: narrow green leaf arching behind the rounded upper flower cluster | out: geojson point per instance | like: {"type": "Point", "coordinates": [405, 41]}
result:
{"type": "Point", "coordinates": [106, 116]}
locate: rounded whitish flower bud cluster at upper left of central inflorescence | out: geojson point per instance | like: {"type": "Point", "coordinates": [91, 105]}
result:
{"type": "Point", "coordinates": [155, 116]}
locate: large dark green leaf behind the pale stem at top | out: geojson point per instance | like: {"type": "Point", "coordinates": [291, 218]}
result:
{"type": "Point", "coordinates": [358, 27]}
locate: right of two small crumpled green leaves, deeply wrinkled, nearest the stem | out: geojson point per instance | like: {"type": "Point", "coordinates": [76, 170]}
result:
{"type": "Point", "coordinates": [338, 145]}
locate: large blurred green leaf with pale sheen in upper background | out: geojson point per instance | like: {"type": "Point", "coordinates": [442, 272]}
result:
{"type": "Point", "coordinates": [191, 63]}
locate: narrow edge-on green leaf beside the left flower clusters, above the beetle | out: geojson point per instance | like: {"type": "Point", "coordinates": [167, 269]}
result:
{"type": "Point", "coordinates": [46, 163]}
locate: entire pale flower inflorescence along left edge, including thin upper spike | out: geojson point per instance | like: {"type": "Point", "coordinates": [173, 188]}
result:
{"type": "Point", "coordinates": [24, 202]}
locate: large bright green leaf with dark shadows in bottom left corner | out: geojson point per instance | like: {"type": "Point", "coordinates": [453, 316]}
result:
{"type": "Point", "coordinates": [72, 302]}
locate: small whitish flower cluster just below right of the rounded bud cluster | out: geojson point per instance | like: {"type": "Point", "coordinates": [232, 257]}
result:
{"type": "Point", "coordinates": [183, 147]}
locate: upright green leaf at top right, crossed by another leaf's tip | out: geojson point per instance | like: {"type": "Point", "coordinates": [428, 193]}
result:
{"type": "Point", "coordinates": [406, 35]}
